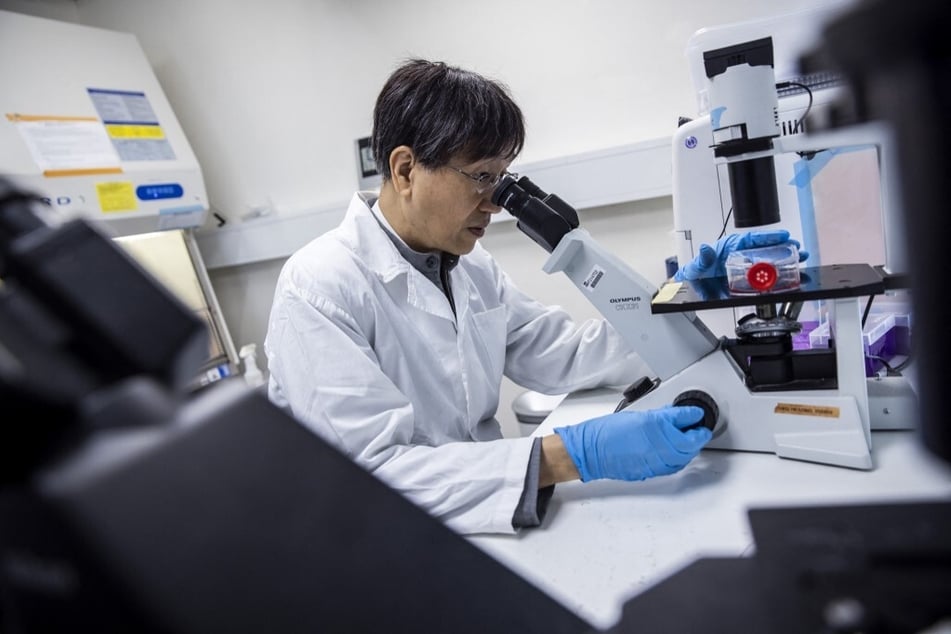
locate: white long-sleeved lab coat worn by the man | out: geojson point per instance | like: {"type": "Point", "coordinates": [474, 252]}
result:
{"type": "Point", "coordinates": [365, 351]}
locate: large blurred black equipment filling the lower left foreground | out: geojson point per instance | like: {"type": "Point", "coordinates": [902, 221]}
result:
{"type": "Point", "coordinates": [128, 505]}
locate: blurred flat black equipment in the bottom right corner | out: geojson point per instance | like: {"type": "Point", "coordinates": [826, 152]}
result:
{"type": "Point", "coordinates": [872, 569]}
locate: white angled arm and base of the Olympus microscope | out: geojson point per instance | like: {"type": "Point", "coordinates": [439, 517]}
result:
{"type": "Point", "coordinates": [828, 426]}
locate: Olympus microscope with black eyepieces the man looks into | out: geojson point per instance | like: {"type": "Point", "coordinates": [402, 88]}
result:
{"type": "Point", "coordinates": [759, 392]}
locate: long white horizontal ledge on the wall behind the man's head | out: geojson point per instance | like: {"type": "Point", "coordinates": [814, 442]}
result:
{"type": "Point", "coordinates": [636, 171]}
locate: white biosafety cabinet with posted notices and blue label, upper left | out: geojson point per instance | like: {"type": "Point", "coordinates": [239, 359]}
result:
{"type": "Point", "coordinates": [85, 124]}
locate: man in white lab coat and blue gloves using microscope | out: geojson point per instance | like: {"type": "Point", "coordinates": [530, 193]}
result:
{"type": "Point", "coordinates": [389, 335]}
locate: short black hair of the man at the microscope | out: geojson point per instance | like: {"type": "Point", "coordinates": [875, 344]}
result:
{"type": "Point", "coordinates": [441, 111]}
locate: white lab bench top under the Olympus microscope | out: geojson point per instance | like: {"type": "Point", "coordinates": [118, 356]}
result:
{"type": "Point", "coordinates": [604, 542]}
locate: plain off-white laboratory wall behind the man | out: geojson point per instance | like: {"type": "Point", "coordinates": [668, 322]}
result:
{"type": "Point", "coordinates": [273, 95]}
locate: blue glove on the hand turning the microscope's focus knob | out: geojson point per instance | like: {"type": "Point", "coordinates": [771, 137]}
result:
{"type": "Point", "coordinates": [632, 445]}
